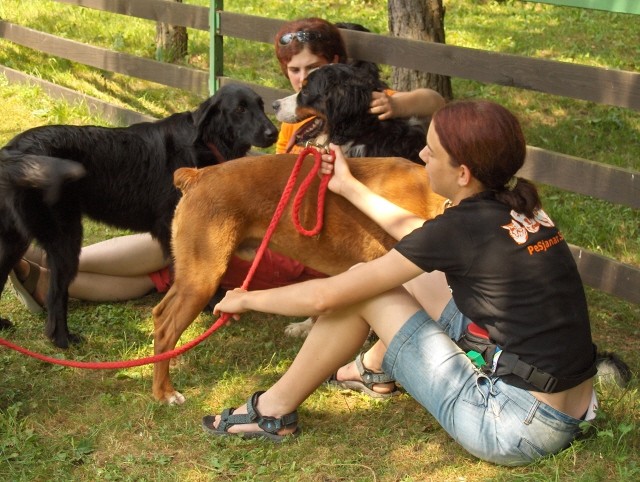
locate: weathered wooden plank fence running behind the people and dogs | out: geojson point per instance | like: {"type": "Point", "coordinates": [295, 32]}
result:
{"type": "Point", "coordinates": [599, 85]}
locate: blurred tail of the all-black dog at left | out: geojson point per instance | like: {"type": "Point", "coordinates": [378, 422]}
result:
{"type": "Point", "coordinates": [30, 171]}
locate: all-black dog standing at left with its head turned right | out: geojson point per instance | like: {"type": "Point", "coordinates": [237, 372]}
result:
{"type": "Point", "coordinates": [53, 175]}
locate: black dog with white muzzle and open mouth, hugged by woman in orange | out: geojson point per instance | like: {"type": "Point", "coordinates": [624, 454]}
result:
{"type": "Point", "coordinates": [339, 96]}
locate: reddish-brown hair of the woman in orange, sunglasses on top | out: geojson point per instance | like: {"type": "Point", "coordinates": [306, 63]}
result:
{"type": "Point", "coordinates": [329, 44]}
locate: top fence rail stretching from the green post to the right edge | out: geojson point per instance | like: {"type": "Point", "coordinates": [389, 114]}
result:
{"type": "Point", "coordinates": [596, 84]}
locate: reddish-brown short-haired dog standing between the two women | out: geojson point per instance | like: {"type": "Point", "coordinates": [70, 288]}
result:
{"type": "Point", "coordinates": [229, 207]}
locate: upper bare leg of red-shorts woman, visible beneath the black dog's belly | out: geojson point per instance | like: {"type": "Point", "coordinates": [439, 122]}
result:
{"type": "Point", "coordinates": [123, 256]}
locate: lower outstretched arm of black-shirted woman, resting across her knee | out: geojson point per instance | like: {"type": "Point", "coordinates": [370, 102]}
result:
{"type": "Point", "coordinates": [322, 296]}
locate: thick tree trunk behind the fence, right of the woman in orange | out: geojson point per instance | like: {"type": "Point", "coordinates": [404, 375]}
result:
{"type": "Point", "coordinates": [419, 20]}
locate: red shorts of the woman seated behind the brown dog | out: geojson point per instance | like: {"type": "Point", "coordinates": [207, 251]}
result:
{"type": "Point", "coordinates": [273, 271]}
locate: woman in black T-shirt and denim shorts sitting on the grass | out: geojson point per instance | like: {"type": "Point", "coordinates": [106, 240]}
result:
{"type": "Point", "coordinates": [492, 262]}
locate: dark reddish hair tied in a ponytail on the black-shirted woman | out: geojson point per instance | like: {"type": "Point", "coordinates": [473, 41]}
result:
{"type": "Point", "coordinates": [488, 139]}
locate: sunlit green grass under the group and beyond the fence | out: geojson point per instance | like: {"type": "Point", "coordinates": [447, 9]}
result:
{"type": "Point", "coordinates": [69, 424]}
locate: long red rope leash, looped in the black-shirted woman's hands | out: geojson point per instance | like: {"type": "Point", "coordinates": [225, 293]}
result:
{"type": "Point", "coordinates": [224, 317]}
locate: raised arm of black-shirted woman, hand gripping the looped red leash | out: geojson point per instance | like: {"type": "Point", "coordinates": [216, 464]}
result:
{"type": "Point", "coordinates": [396, 221]}
